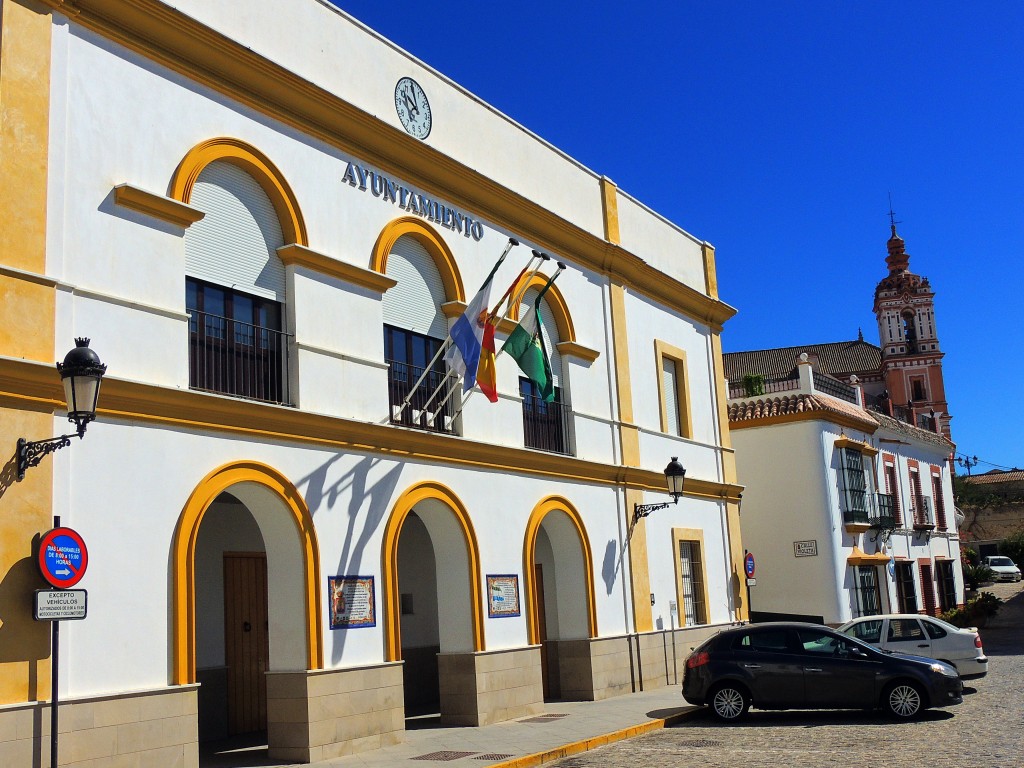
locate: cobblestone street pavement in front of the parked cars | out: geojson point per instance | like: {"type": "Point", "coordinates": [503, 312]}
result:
{"type": "Point", "coordinates": [987, 732]}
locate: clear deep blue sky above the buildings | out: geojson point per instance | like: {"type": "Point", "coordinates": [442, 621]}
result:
{"type": "Point", "coordinates": [778, 133]}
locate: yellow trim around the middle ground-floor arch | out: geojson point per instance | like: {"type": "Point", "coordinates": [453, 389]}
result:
{"type": "Point", "coordinates": [390, 563]}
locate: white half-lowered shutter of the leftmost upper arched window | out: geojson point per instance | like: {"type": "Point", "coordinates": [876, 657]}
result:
{"type": "Point", "coordinates": [236, 244]}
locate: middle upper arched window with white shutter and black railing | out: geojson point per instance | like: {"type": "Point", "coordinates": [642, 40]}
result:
{"type": "Point", "coordinates": [415, 329]}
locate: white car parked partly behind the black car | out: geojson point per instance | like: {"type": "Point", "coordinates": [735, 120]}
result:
{"type": "Point", "coordinates": [924, 636]}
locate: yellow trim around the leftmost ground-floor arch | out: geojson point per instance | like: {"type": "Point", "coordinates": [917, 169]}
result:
{"type": "Point", "coordinates": [184, 561]}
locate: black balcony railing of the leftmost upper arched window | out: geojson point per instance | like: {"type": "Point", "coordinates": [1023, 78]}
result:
{"type": "Point", "coordinates": [239, 359]}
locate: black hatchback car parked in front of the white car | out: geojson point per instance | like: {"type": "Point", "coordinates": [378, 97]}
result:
{"type": "Point", "coordinates": [784, 666]}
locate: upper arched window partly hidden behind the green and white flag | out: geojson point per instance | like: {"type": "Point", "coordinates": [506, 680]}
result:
{"type": "Point", "coordinates": [545, 424]}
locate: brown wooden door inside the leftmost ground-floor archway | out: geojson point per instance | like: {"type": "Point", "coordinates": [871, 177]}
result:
{"type": "Point", "coordinates": [246, 645]}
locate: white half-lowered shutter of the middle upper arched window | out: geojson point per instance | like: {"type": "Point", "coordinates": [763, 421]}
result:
{"type": "Point", "coordinates": [414, 305]}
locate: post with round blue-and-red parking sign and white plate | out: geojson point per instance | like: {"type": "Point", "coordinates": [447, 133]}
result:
{"type": "Point", "coordinates": [63, 561]}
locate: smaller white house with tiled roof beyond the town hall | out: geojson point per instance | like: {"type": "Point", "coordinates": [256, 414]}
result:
{"type": "Point", "coordinates": [848, 513]}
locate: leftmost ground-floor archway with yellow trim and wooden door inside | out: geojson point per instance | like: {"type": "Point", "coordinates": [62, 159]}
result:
{"type": "Point", "coordinates": [246, 594]}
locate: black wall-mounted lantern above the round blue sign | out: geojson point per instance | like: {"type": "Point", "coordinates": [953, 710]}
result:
{"type": "Point", "coordinates": [81, 373]}
